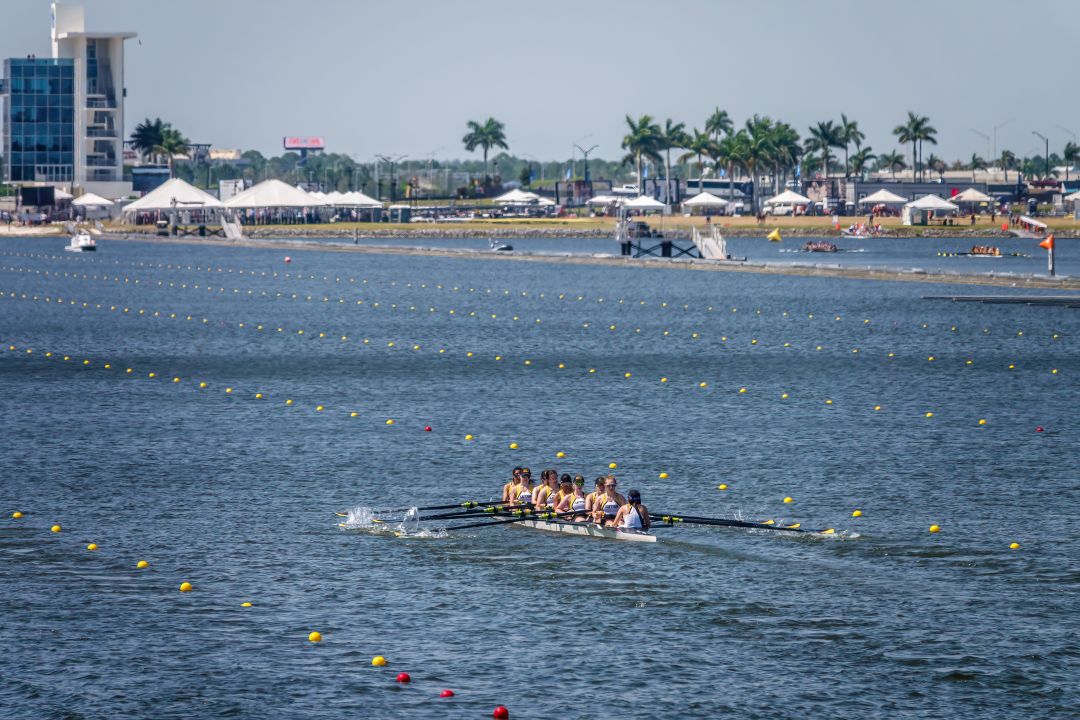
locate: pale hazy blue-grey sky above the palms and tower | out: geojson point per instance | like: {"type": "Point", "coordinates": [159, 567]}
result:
{"type": "Point", "coordinates": [404, 77]}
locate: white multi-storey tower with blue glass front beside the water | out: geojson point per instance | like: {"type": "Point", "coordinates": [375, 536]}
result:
{"type": "Point", "coordinates": [64, 116]}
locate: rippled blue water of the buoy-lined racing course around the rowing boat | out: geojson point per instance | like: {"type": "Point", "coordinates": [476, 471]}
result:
{"type": "Point", "coordinates": [238, 495]}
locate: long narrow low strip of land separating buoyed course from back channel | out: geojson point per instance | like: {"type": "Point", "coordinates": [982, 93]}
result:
{"type": "Point", "coordinates": [801, 270]}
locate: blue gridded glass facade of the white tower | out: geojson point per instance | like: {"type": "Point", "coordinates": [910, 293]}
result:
{"type": "Point", "coordinates": [39, 120]}
